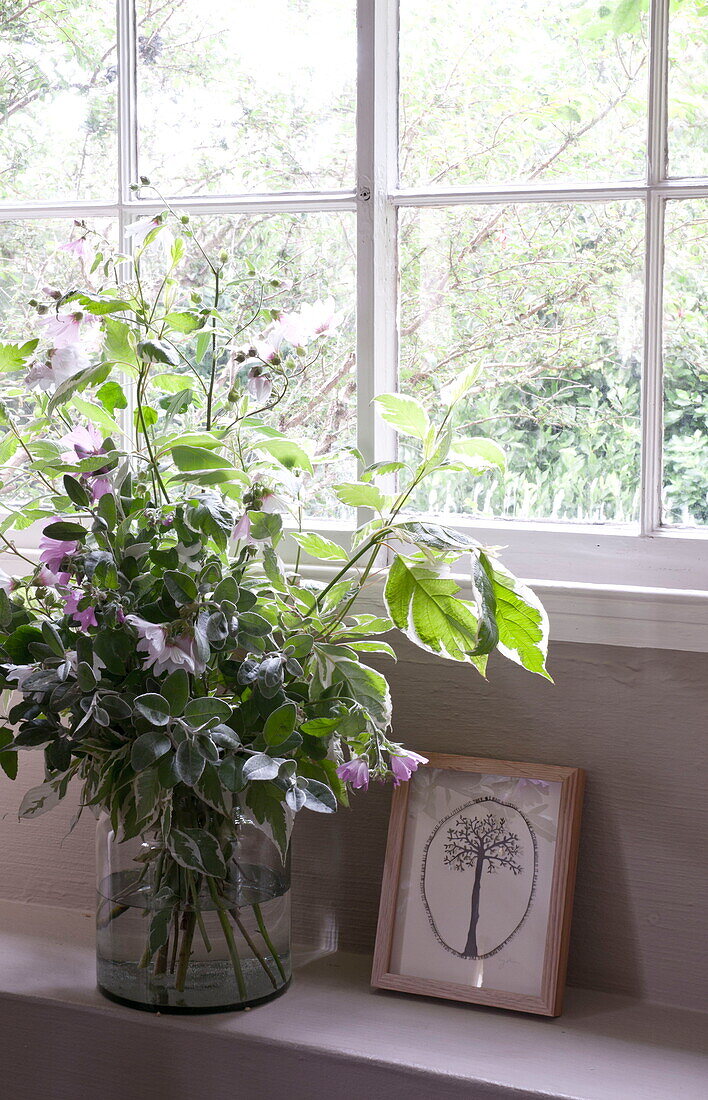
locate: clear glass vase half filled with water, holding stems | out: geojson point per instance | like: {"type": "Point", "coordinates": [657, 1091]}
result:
{"type": "Point", "coordinates": [170, 940]}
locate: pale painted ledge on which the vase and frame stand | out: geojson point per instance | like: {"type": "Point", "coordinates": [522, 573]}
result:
{"type": "Point", "coordinates": [330, 1036]}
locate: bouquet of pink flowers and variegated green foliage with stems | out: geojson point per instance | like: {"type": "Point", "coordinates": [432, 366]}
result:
{"type": "Point", "coordinates": [162, 653]}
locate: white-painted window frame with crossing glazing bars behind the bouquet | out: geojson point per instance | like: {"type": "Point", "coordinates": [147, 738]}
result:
{"type": "Point", "coordinates": [661, 574]}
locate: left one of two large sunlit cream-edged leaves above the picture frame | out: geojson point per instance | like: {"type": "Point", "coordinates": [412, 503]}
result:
{"type": "Point", "coordinates": [426, 608]}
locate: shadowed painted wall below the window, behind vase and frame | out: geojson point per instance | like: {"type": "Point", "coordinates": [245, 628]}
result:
{"type": "Point", "coordinates": [635, 720]}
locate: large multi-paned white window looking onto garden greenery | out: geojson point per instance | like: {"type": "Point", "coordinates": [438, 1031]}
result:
{"type": "Point", "coordinates": [508, 182]}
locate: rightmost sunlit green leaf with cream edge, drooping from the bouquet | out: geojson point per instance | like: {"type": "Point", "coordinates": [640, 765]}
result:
{"type": "Point", "coordinates": [524, 625]}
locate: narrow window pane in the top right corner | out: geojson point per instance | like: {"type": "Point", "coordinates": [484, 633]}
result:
{"type": "Point", "coordinates": [689, 89]}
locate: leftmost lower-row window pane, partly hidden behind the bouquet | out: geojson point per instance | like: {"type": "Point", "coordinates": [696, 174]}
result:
{"type": "Point", "coordinates": [31, 260]}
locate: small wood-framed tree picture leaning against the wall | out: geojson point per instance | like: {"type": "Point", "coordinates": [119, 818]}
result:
{"type": "Point", "coordinates": [479, 884]}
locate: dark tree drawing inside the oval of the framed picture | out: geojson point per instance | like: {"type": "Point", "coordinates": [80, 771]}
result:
{"type": "Point", "coordinates": [479, 843]}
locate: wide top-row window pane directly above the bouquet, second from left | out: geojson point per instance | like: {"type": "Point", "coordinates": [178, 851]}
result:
{"type": "Point", "coordinates": [247, 97]}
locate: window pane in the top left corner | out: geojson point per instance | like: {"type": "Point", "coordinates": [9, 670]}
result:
{"type": "Point", "coordinates": [58, 101]}
